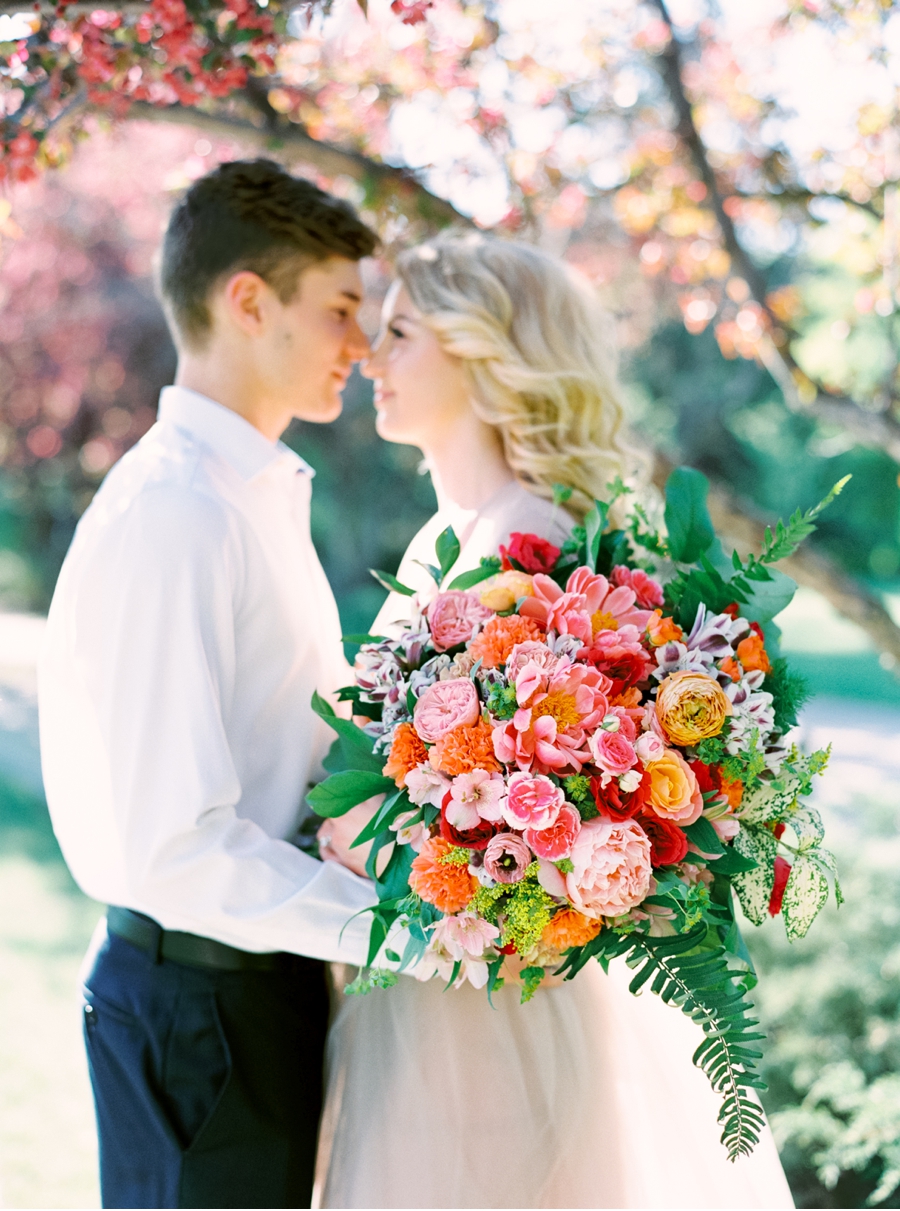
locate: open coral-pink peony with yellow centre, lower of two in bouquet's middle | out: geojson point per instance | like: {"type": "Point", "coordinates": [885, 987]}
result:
{"type": "Point", "coordinates": [558, 713]}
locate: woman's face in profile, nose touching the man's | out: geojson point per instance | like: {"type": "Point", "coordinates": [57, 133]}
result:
{"type": "Point", "coordinates": [421, 391]}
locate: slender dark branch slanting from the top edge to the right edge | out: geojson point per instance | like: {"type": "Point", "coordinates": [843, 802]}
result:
{"type": "Point", "coordinates": [869, 428]}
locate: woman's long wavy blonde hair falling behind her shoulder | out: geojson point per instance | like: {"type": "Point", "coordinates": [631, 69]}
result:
{"type": "Point", "coordinates": [540, 357]}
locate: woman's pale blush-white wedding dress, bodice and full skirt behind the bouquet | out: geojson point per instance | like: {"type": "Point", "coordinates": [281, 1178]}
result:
{"type": "Point", "coordinates": [584, 1098]}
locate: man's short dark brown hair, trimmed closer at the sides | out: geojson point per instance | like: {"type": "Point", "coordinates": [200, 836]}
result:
{"type": "Point", "coordinates": [251, 215]}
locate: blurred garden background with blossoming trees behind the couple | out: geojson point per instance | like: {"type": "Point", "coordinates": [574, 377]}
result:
{"type": "Point", "coordinates": [726, 175]}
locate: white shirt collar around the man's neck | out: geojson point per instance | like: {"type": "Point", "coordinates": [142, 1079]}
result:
{"type": "Point", "coordinates": [231, 437]}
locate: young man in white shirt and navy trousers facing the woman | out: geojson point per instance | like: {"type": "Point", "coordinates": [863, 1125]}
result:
{"type": "Point", "coordinates": [190, 629]}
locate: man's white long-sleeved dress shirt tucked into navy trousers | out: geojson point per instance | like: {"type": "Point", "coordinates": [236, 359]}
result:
{"type": "Point", "coordinates": [191, 625]}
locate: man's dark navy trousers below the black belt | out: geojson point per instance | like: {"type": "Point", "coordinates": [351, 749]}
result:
{"type": "Point", "coordinates": [208, 1084]}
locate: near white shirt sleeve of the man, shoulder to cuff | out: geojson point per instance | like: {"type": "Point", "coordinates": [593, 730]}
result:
{"type": "Point", "coordinates": [136, 688]}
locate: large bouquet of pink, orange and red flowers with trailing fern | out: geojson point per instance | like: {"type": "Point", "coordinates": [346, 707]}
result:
{"type": "Point", "coordinates": [583, 753]}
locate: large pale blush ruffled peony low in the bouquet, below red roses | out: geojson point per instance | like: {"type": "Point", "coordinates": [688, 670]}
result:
{"type": "Point", "coordinates": [611, 868]}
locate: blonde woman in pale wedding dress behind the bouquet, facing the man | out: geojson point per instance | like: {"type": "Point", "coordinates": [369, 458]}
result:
{"type": "Point", "coordinates": [494, 363]}
